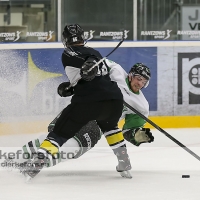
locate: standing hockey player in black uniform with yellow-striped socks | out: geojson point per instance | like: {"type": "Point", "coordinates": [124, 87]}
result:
{"type": "Point", "coordinates": [95, 97]}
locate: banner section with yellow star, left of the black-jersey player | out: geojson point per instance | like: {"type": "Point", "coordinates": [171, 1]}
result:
{"type": "Point", "coordinates": [29, 80]}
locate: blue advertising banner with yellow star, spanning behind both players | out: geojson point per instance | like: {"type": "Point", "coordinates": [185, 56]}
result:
{"type": "Point", "coordinates": [29, 78]}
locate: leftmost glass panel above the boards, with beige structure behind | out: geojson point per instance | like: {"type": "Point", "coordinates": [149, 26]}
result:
{"type": "Point", "coordinates": [28, 21]}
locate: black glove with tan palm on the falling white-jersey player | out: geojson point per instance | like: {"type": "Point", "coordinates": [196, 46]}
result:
{"type": "Point", "coordinates": [139, 136]}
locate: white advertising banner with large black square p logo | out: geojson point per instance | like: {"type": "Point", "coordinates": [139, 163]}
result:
{"type": "Point", "coordinates": [178, 81]}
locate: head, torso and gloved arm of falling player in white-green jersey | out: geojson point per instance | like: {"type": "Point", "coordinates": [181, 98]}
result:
{"type": "Point", "coordinates": [131, 85]}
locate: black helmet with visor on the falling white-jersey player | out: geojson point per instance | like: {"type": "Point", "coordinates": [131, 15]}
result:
{"type": "Point", "coordinates": [141, 70]}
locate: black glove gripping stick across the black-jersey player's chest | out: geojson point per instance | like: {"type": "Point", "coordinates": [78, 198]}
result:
{"type": "Point", "coordinates": [87, 65]}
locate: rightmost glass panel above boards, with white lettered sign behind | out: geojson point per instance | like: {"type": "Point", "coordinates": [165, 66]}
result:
{"type": "Point", "coordinates": [168, 20]}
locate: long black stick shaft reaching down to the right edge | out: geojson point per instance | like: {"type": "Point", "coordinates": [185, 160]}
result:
{"type": "Point", "coordinates": [162, 131]}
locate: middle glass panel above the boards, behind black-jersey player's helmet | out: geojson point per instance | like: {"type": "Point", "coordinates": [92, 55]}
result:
{"type": "Point", "coordinates": [101, 20]}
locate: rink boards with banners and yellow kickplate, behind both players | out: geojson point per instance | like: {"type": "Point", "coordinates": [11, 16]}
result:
{"type": "Point", "coordinates": [28, 82]}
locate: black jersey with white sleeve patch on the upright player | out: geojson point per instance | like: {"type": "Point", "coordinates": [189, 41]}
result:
{"type": "Point", "coordinates": [98, 89]}
